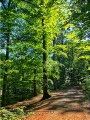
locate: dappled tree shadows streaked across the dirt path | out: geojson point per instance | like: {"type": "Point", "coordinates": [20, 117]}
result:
{"type": "Point", "coordinates": [70, 100]}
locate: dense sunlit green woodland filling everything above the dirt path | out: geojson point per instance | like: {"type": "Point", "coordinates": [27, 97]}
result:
{"type": "Point", "coordinates": [45, 45]}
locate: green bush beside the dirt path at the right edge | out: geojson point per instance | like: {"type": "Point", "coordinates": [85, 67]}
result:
{"type": "Point", "coordinates": [86, 86]}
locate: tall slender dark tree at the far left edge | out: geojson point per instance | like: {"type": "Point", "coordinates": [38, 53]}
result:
{"type": "Point", "coordinates": [6, 6]}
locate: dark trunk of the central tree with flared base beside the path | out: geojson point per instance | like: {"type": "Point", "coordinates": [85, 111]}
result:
{"type": "Point", "coordinates": [45, 83]}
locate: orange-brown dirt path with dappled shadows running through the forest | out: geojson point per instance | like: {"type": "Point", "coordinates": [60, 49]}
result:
{"type": "Point", "coordinates": [63, 105]}
